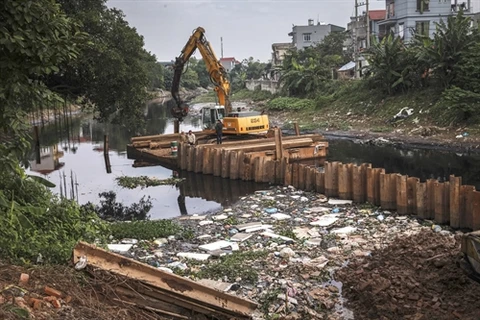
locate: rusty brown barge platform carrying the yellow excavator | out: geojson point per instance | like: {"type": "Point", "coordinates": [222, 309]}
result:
{"type": "Point", "coordinates": [231, 159]}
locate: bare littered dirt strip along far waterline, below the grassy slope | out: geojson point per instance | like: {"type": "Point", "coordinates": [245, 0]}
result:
{"type": "Point", "coordinates": [363, 128]}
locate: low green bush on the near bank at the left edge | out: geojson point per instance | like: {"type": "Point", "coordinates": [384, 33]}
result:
{"type": "Point", "coordinates": [46, 226]}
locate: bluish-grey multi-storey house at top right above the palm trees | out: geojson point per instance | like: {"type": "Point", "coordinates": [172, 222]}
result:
{"type": "Point", "coordinates": [405, 17]}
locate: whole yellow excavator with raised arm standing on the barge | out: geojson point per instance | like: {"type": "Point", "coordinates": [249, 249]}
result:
{"type": "Point", "coordinates": [234, 122]}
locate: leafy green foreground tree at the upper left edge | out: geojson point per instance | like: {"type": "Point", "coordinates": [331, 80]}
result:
{"type": "Point", "coordinates": [36, 38]}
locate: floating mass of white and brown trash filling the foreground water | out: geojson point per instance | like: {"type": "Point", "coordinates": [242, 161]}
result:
{"type": "Point", "coordinates": [280, 248]}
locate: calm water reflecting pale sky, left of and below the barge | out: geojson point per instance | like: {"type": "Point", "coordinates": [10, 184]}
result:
{"type": "Point", "coordinates": [72, 158]}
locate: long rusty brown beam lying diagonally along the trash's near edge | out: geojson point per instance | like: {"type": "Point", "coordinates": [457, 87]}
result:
{"type": "Point", "coordinates": [169, 282]}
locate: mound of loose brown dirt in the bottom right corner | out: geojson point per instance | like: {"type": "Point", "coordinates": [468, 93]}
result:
{"type": "Point", "coordinates": [416, 277]}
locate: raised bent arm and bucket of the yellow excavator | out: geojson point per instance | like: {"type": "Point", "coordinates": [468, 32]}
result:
{"type": "Point", "coordinates": [218, 74]}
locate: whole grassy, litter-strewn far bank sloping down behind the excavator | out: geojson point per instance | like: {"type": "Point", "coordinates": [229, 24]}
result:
{"type": "Point", "coordinates": [369, 120]}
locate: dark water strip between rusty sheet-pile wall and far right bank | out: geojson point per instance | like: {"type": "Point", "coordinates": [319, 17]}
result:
{"type": "Point", "coordinates": [420, 163]}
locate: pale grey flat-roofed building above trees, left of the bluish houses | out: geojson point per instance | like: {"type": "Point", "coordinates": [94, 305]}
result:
{"type": "Point", "coordinates": [311, 34]}
